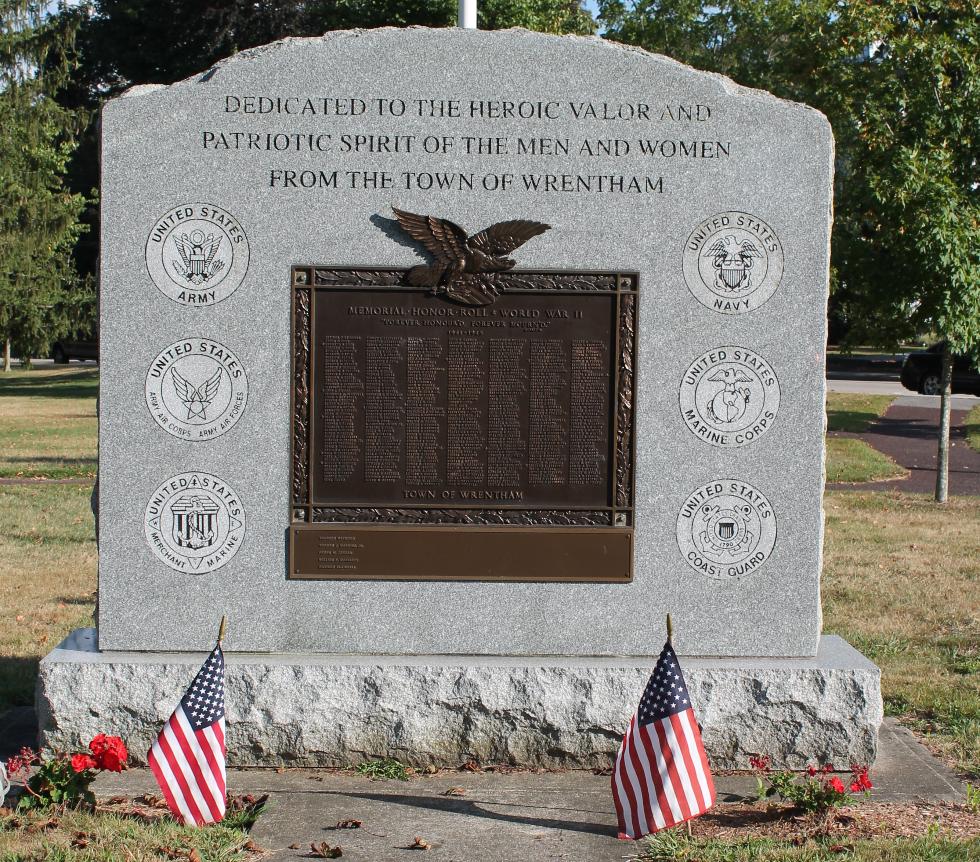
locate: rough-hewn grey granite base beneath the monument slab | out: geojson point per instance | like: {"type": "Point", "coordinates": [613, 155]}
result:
{"type": "Point", "coordinates": [552, 712]}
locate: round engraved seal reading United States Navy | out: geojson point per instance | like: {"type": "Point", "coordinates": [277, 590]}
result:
{"type": "Point", "coordinates": [733, 262]}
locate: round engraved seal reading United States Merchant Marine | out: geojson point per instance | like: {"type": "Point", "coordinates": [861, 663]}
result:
{"type": "Point", "coordinates": [195, 523]}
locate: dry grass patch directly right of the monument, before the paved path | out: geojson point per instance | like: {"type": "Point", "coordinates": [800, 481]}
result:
{"type": "Point", "coordinates": [901, 582]}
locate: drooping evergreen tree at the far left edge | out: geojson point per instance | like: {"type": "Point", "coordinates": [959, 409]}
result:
{"type": "Point", "coordinates": [38, 215]}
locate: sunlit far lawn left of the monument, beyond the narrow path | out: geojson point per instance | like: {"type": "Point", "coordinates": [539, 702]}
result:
{"type": "Point", "coordinates": [48, 424]}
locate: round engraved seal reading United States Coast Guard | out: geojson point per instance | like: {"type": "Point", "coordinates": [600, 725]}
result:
{"type": "Point", "coordinates": [726, 529]}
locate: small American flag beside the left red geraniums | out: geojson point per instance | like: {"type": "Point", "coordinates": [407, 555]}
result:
{"type": "Point", "coordinates": [188, 758]}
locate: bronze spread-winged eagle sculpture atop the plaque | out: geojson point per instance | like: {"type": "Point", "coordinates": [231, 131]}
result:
{"type": "Point", "coordinates": [464, 267]}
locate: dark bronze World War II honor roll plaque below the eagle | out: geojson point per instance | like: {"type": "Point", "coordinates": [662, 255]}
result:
{"type": "Point", "coordinates": [453, 440]}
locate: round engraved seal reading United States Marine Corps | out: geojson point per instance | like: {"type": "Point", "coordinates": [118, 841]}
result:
{"type": "Point", "coordinates": [729, 397]}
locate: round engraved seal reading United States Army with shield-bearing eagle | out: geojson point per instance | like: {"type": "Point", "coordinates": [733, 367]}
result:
{"type": "Point", "coordinates": [197, 254]}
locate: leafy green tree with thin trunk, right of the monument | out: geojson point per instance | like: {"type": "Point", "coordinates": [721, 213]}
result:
{"type": "Point", "coordinates": [900, 83]}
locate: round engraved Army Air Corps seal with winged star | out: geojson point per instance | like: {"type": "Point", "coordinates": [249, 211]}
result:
{"type": "Point", "coordinates": [196, 389]}
